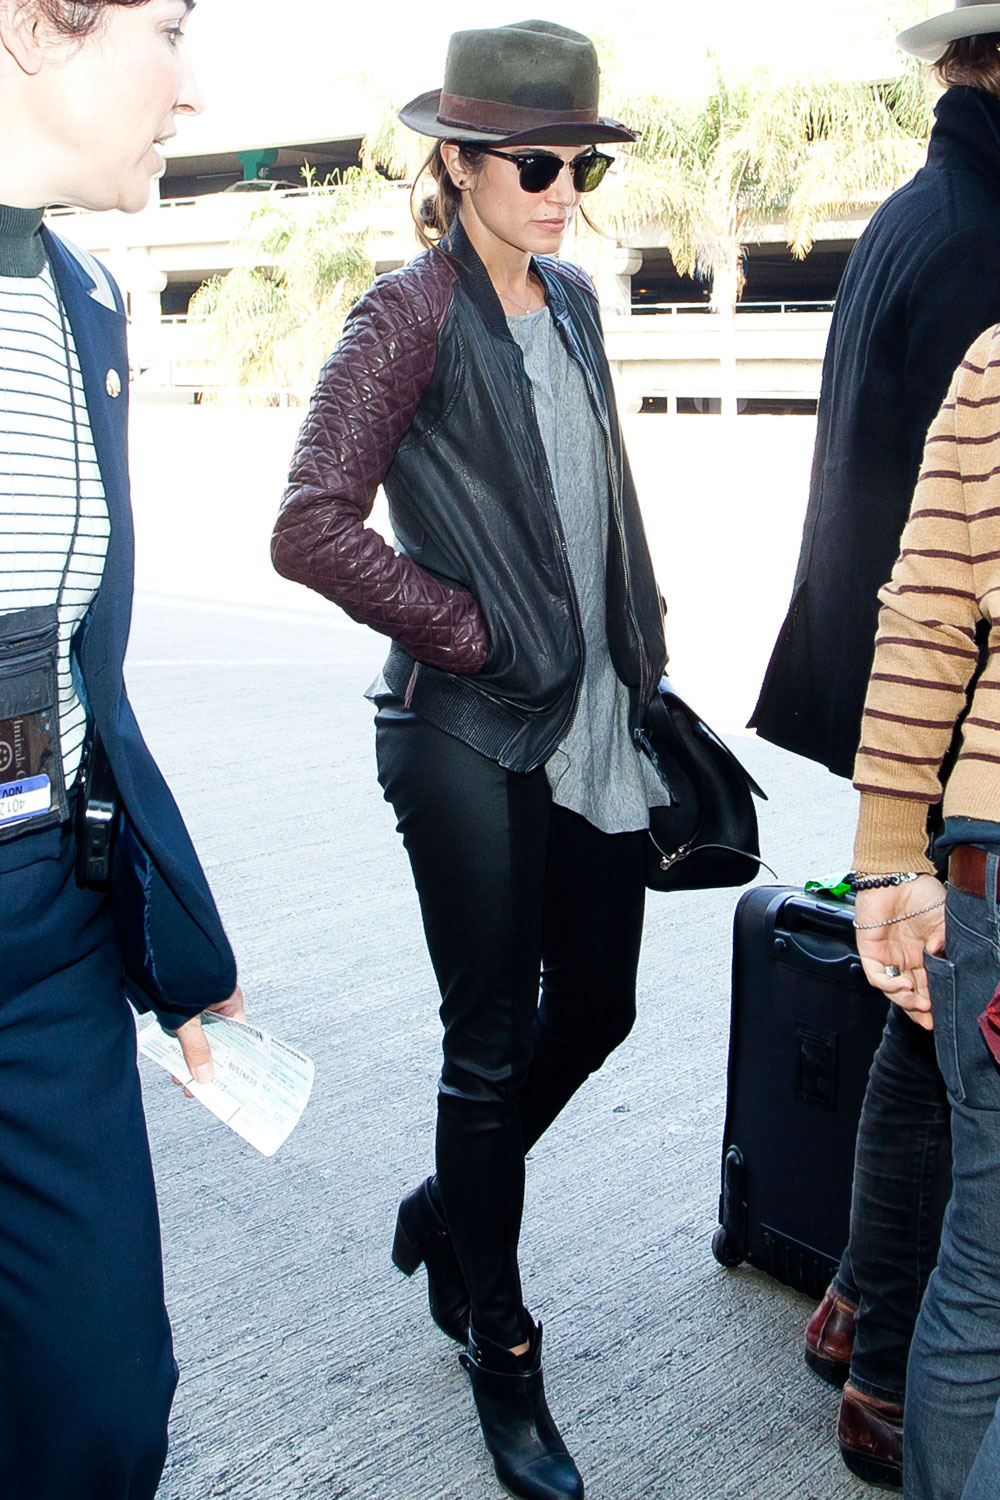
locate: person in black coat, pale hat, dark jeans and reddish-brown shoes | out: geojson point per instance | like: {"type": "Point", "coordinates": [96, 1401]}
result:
{"type": "Point", "coordinates": [920, 287]}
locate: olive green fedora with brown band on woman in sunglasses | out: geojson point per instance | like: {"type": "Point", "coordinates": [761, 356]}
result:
{"type": "Point", "coordinates": [533, 82]}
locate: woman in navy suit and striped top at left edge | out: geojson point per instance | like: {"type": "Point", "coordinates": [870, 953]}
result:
{"type": "Point", "coordinates": [88, 91]}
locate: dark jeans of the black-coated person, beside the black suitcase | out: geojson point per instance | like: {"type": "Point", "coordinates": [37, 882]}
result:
{"type": "Point", "coordinates": [902, 1186]}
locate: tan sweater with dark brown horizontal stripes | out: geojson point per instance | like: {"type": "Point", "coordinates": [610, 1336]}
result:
{"type": "Point", "coordinates": [947, 580]}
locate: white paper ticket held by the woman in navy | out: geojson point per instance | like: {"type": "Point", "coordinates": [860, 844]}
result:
{"type": "Point", "coordinates": [260, 1085]}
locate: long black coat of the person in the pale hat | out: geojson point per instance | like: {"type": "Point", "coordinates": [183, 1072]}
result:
{"type": "Point", "coordinates": [920, 287]}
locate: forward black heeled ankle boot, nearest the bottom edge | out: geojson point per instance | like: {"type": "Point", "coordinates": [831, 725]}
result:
{"type": "Point", "coordinates": [530, 1457]}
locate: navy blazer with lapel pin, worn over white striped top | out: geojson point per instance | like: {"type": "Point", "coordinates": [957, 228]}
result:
{"type": "Point", "coordinates": [178, 956]}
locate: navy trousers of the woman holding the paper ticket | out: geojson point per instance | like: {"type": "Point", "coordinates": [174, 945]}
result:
{"type": "Point", "coordinates": [86, 1364]}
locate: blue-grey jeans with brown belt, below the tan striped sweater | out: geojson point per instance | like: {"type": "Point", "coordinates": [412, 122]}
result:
{"type": "Point", "coordinates": [953, 1430]}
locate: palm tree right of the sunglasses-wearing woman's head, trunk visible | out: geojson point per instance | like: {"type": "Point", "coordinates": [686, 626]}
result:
{"type": "Point", "coordinates": [714, 172]}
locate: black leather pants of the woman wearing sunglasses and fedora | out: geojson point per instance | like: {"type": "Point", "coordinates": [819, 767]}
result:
{"type": "Point", "coordinates": [513, 892]}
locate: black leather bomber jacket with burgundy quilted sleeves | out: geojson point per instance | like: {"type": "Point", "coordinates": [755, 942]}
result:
{"type": "Point", "coordinates": [427, 394]}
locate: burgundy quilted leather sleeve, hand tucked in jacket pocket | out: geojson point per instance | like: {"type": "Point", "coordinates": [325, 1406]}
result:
{"type": "Point", "coordinates": [361, 410]}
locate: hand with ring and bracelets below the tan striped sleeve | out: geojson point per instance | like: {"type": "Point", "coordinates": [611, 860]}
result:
{"type": "Point", "coordinates": [900, 944]}
